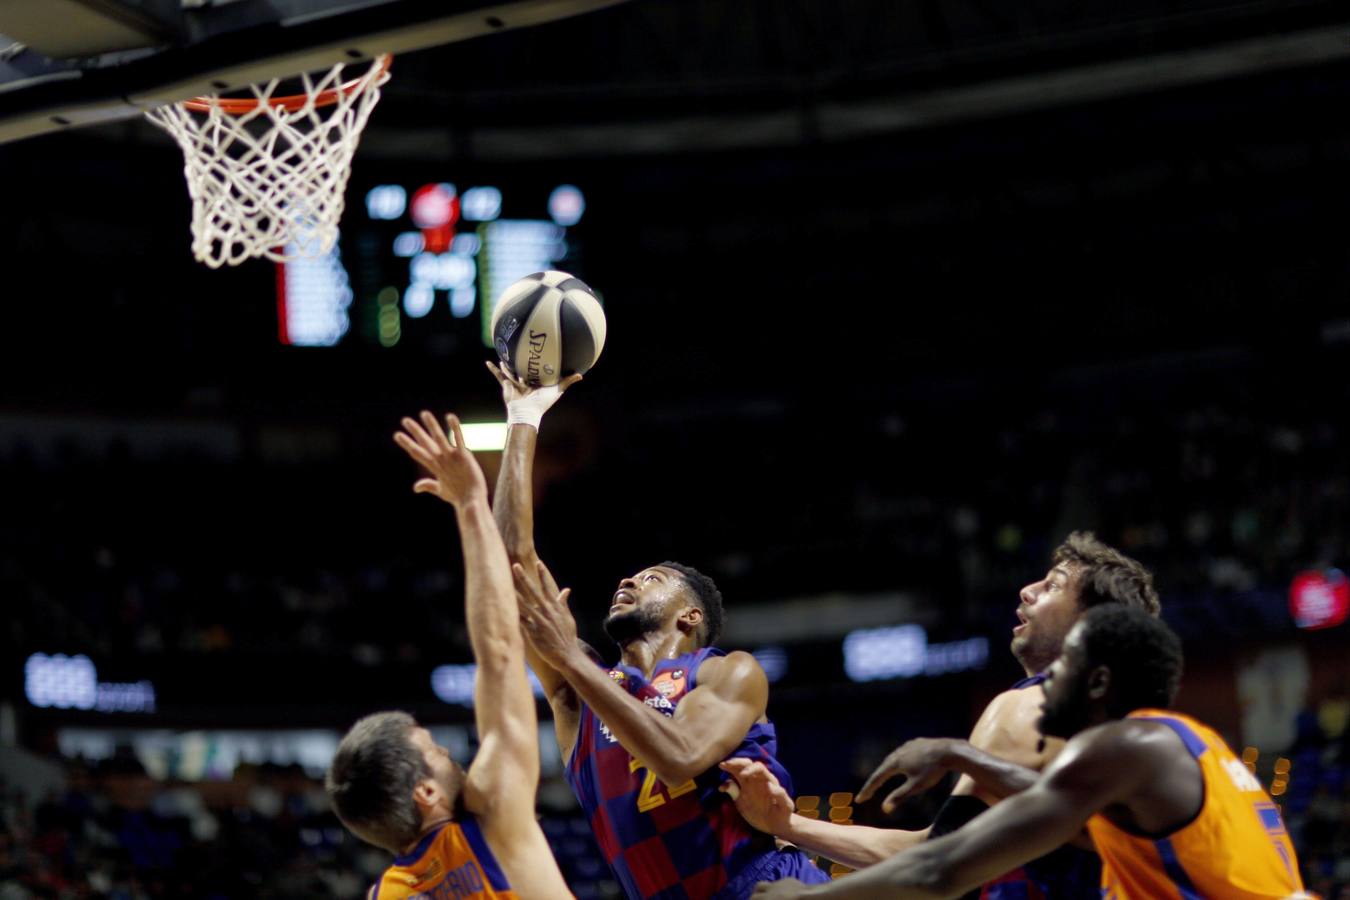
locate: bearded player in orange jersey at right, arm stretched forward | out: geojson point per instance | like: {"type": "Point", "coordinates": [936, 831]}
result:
{"type": "Point", "coordinates": [1172, 813]}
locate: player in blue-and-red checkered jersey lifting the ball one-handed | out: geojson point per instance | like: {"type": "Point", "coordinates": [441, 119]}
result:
{"type": "Point", "coordinates": [643, 740]}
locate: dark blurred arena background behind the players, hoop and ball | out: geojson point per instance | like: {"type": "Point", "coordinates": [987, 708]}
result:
{"type": "Point", "coordinates": [898, 296]}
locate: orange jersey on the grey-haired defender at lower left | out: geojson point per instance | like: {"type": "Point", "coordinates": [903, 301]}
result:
{"type": "Point", "coordinates": [453, 863]}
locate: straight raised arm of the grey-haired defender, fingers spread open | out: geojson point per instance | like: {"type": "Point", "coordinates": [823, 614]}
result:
{"type": "Point", "coordinates": [506, 772]}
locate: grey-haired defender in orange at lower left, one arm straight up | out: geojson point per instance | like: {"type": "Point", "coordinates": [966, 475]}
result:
{"type": "Point", "coordinates": [457, 835]}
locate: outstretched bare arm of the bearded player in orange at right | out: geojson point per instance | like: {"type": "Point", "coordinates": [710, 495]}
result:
{"type": "Point", "coordinates": [1098, 770]}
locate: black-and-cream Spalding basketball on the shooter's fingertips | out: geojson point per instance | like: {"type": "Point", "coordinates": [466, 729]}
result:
{"type": "Point", "coordinates": [547, 327]}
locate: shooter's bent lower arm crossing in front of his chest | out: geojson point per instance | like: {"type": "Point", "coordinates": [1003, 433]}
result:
{"type": "Point", "coordinates": [709, 723]}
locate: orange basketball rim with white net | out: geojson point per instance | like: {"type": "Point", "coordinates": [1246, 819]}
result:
{"type": "Point", "coordinates": [268, 175]}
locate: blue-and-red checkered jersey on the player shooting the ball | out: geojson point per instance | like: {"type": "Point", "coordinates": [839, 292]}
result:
{"type": "Point", "coordinates": [685, 841]}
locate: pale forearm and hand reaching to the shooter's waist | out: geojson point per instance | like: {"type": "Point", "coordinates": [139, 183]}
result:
{"type": "Point", "coordinates": [763, 804]}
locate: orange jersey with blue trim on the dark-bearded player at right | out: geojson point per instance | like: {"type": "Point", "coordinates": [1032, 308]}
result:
{"type": "Point", "coordinates": [1236, 848]}
